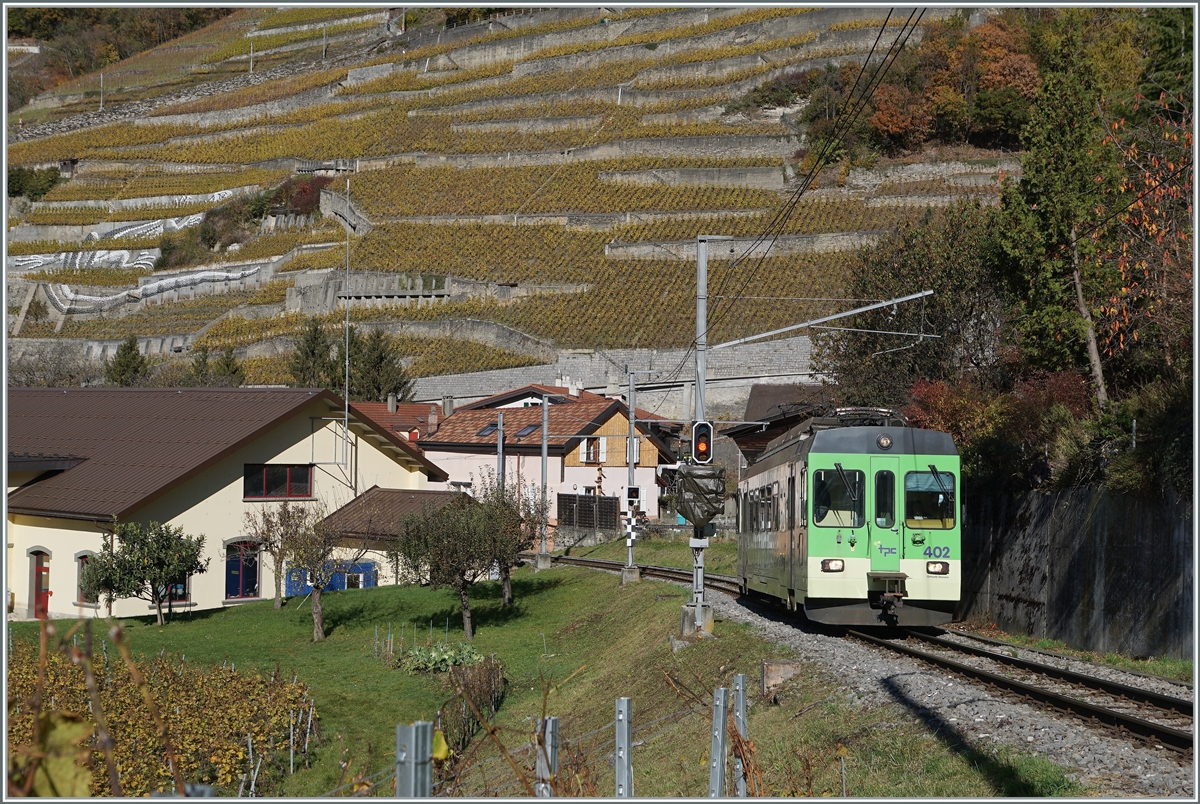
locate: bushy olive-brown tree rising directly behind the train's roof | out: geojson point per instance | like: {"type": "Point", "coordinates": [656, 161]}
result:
{"type": "Point", "coordinates": [952, 254]}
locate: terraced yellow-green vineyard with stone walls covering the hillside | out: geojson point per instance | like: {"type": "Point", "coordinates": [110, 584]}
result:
{"type": "Point", "coordinates": [572, 154]}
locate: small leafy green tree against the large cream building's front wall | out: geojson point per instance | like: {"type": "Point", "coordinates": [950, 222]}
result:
{"type": "Point", "coordinates": [145, 561]}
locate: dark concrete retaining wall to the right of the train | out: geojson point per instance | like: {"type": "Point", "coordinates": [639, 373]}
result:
{"type": "Point", "coordinates": [1100, 572]}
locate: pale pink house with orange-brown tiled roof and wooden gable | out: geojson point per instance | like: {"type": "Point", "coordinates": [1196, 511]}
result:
{"type": "Point", "coordinates": [587, 445]}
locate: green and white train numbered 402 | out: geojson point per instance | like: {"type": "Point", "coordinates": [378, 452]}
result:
{"type": "Point", "coordinates": [856, 520]}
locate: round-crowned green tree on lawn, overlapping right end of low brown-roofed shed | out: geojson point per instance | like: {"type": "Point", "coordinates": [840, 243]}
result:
{"type": "Point", "coordinates": [452, 545]}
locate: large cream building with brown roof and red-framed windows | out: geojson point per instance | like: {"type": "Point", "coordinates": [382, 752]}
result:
{"type": "Point", "coordinates": [197, 459]}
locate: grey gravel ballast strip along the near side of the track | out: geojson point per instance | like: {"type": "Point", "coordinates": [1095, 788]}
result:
{"type": "Point", "coordinates": [1105, 765]}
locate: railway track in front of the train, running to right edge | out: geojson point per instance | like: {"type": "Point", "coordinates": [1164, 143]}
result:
{"type": "Point", "coordinates": [1150, 717]}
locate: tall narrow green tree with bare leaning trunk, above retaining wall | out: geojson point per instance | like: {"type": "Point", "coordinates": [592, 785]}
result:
{"type": "Point", "coordinates": [1048, 218]}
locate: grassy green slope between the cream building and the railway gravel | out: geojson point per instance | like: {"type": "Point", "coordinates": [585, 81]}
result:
{"type": "Point", "coordinates": [604, 643]}
